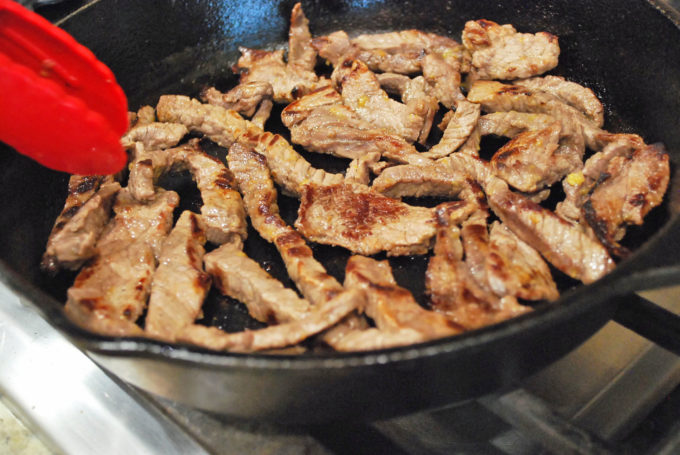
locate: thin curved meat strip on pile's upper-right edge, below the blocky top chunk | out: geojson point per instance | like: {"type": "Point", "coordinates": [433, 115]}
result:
{"type": "Point", "coordinates": [576, 95]}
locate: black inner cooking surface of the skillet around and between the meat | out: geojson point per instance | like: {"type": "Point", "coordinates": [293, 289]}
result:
{"type": "Point", "coordinates": [627, 53]}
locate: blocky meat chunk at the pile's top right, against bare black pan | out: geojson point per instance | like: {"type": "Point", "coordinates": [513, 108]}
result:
{"type": "Point", "coordinates": [499, 52]}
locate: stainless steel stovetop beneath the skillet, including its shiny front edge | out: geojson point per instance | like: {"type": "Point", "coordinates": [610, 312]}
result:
{"type": "Point", "coordinates": [597, 399]}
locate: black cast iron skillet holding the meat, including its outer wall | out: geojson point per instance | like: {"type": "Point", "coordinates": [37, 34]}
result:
{"type": "Point", "coordinates": [629, 53]}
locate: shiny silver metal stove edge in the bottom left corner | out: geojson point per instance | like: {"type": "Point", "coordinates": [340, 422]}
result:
{"type": "Point", "coordinates": [65, 397]}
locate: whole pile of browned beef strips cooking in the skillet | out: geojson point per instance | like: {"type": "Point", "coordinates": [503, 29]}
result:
{"type": "Point", "coordinates": [140, 275]}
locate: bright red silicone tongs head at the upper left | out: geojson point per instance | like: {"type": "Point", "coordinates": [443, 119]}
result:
{"type": "Point", "coordinates": [58, 104]}
